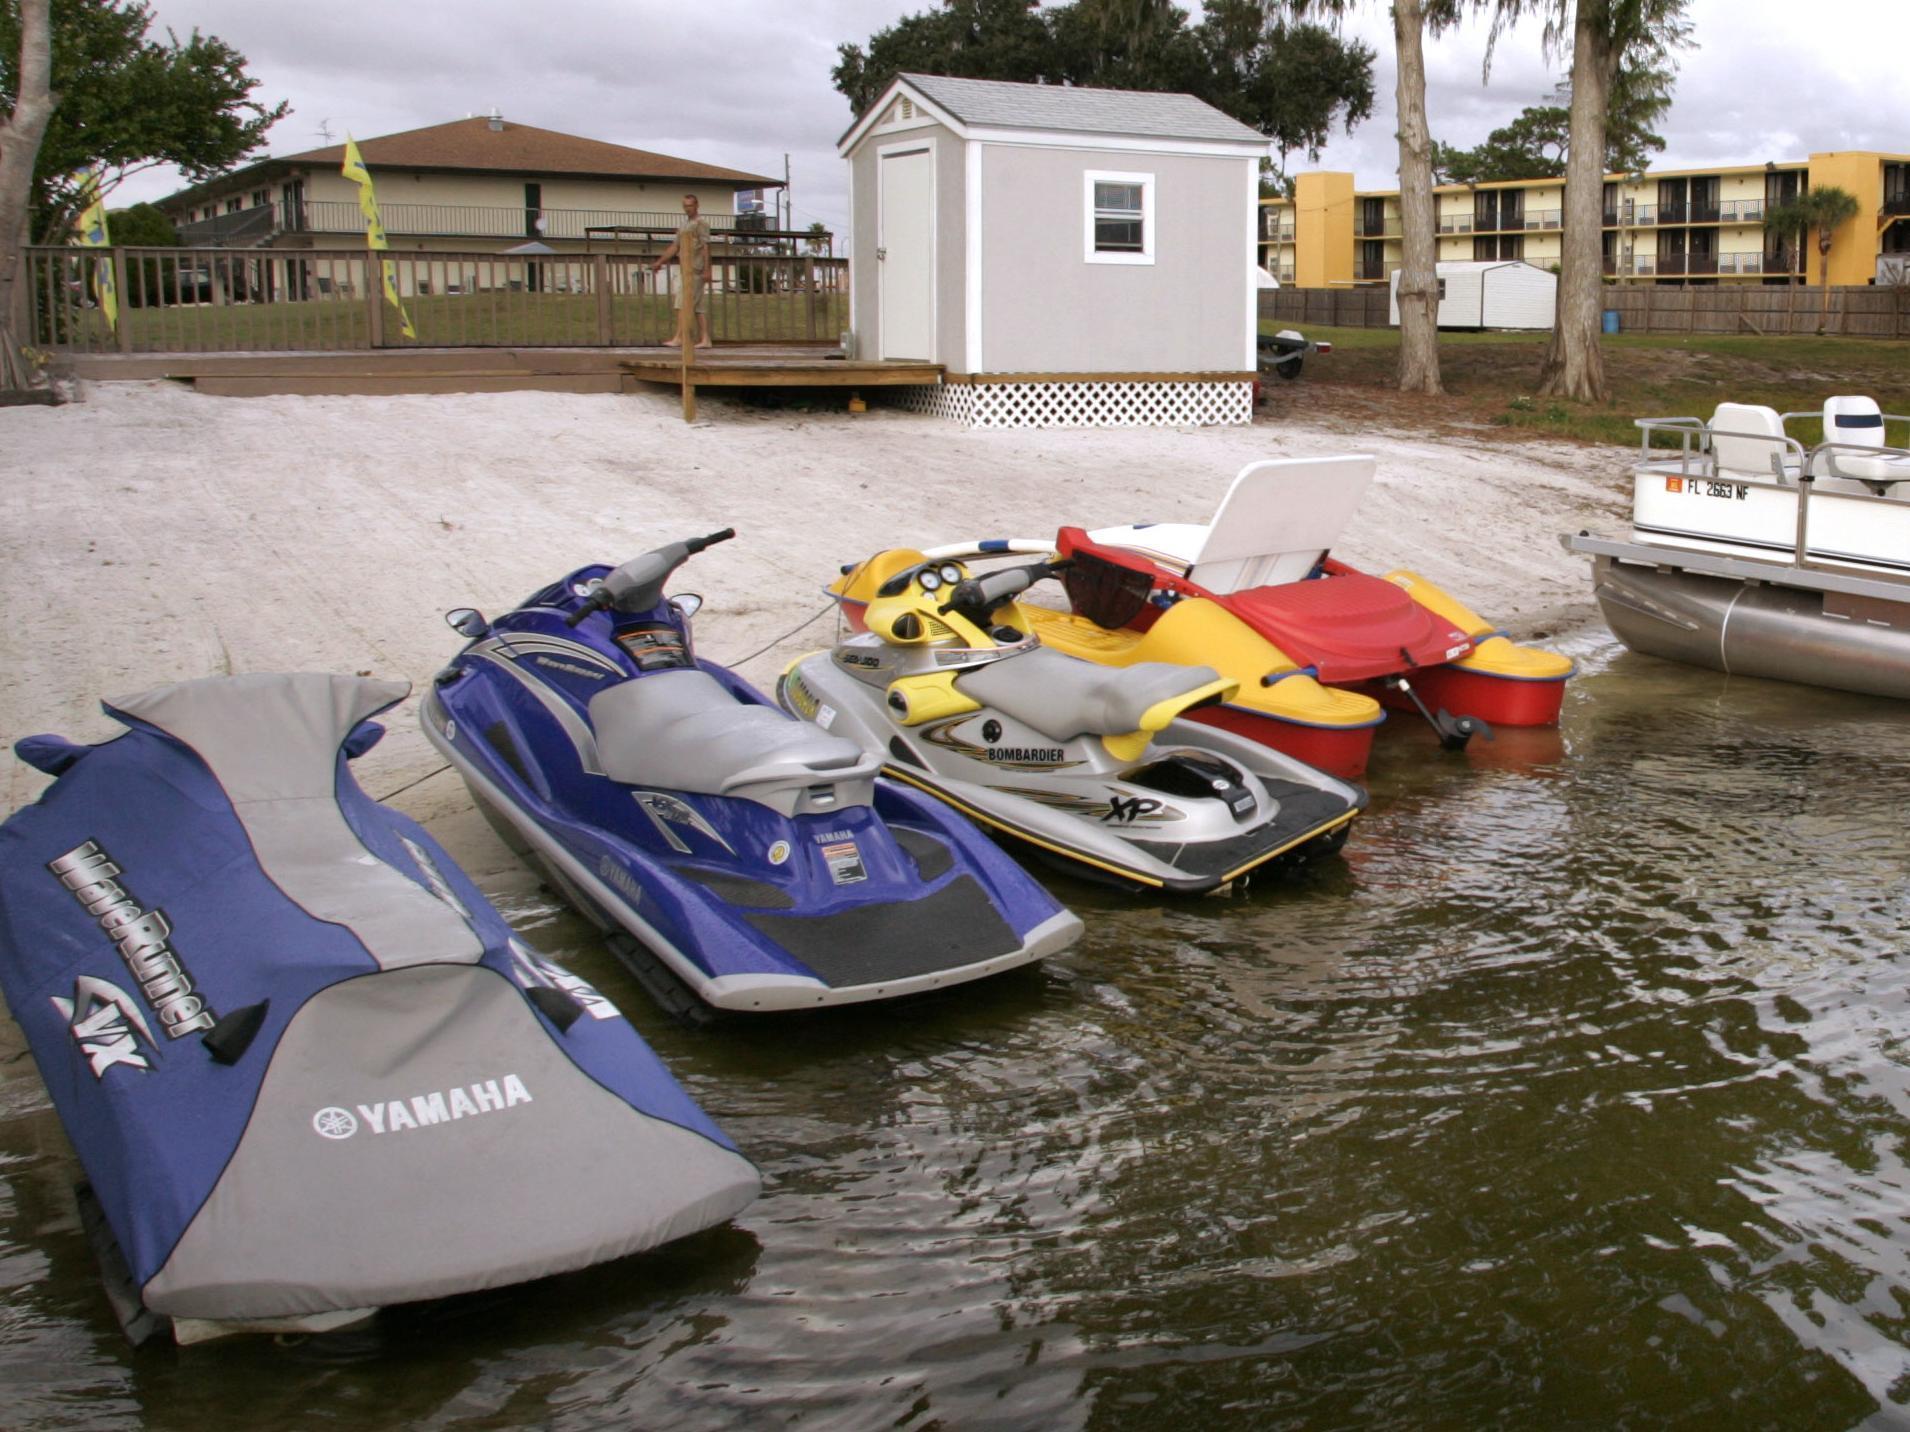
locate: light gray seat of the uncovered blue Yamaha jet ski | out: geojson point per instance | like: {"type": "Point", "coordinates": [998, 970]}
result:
{"type": "Point", "coordinates": [685, 732]}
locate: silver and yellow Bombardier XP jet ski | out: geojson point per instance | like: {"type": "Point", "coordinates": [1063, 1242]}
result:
{"type": "Point", "coordinates": [1088, 765]}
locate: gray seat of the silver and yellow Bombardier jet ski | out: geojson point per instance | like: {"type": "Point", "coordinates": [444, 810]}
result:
{"type": "Point", "coordinates": [1065, 698]}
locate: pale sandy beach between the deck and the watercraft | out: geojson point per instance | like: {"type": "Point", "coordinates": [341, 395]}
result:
{"type": "Point", "coordinates": [152, 534]}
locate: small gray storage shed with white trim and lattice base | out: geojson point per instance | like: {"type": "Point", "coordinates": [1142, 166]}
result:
{"type": "Point", "coordinates": [1071, 257]}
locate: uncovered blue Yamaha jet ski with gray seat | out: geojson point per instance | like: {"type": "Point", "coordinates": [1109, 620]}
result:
{"type": "Point", "coordinates": [736, 856]}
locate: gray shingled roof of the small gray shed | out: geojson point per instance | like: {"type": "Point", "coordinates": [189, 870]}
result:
{"type": "Point", "coordinates": [1139, 114]}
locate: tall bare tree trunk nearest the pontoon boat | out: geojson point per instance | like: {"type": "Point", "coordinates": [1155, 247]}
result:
{"type": "Point", "coordinates": [1575, 364]}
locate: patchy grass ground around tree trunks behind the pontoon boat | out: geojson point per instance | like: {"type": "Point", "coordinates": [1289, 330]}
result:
{"type": "Point", "coordinates": [1491, 377]}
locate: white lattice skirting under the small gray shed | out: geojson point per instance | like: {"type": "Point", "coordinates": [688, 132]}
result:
{"type": "Point", "coordinates": [1082, 406]}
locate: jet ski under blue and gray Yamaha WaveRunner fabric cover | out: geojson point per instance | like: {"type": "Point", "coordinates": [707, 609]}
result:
{"type": "Point", "coordinates": [305, 1064]}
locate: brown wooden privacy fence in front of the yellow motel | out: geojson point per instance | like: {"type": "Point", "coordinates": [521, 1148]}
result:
{"type": "Point", "coordinates": [1856, 312]}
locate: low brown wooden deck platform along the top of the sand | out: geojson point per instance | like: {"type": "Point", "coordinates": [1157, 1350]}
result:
{"type": "Point", "coordinates": [503, 369]}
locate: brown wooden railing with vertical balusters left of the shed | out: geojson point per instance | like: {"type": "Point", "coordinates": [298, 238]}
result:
{"type": "Point", "coordinates": [219, 301]}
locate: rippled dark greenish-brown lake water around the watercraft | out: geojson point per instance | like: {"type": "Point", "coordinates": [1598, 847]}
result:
{"type": "Point", "coordinates": [1573, 1093]}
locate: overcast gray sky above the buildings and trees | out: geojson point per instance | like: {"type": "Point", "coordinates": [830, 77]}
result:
{"type": "Point", "coordinates": [742, 83]}
